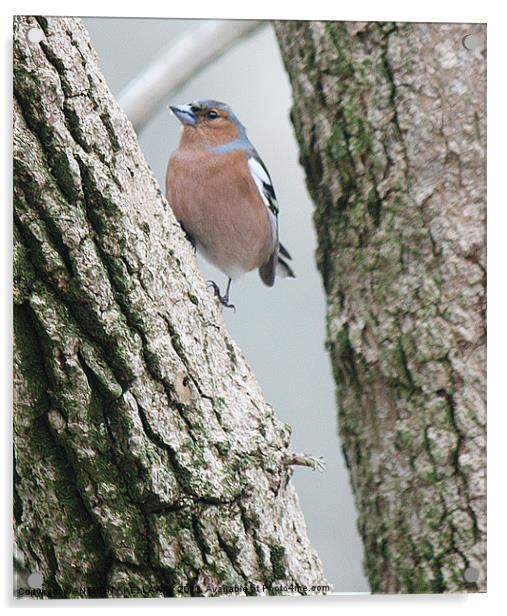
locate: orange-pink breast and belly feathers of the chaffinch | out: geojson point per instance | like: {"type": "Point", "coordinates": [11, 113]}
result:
{"type": "Point", "coordinates": [218, 203]}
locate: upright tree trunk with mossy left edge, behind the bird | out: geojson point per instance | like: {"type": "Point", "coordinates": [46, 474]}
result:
{"type": "Point", "coordinates": [390, 120]}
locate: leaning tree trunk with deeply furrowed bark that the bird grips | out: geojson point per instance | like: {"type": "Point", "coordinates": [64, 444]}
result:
{"type": "Point", "coordinates": [147, 461]}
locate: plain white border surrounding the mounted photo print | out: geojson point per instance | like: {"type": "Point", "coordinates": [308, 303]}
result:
{"type": "Point", "coordinates": [428, 11]}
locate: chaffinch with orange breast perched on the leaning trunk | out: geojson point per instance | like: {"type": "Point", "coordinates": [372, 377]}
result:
{"type": "Point", "coordinates": [222, 195]}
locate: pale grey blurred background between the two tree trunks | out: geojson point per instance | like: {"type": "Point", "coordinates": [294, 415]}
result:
{"type": "Point", "coordinates": [280, 330]}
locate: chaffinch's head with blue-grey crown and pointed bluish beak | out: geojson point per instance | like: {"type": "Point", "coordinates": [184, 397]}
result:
{"type": "Point", "coordinates": [211, 119]}
